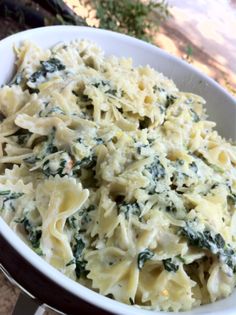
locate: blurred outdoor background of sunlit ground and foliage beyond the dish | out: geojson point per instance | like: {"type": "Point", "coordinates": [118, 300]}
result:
{"type": "Point", "coordinates": [202, 32]}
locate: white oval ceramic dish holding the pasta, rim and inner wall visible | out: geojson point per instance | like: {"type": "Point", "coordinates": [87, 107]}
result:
{"type": "Point", "coordinates": [221, 108]}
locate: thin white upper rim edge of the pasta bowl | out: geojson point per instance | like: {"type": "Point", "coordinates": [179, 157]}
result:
{"type": "Point", "coordinates": [24, 250]}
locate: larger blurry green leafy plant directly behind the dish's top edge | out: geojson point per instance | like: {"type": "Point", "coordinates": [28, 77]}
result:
{"type": "Point", "coordinates": [136, 18]}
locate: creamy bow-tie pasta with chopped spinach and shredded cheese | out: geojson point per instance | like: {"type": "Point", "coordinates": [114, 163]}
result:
{"type": "Point", "coordinates": [117, 178]}
